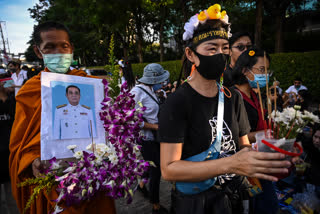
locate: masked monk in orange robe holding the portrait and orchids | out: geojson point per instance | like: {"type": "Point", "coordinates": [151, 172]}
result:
{"type": "Point", "coordinates": [50, 38]}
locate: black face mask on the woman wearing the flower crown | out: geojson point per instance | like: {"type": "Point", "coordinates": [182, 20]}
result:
{"type": "Point", "coordinates": [211, 67]}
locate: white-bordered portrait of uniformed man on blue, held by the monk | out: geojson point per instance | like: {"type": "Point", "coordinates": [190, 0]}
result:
{"type": "Point", "coordinates": [69, 114]}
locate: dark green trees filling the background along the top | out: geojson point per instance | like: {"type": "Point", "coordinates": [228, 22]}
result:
{"type": "Point", "coordinates": [138, 26]}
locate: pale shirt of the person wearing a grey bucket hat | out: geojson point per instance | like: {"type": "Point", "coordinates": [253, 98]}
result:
{"type": "Point", "coordinates": [152, 108]}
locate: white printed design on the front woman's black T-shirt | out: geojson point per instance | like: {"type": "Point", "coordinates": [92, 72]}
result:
{"type": "Point", "coordinates": [228, 146]}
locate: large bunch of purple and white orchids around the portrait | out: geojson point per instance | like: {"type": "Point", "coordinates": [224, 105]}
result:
{"type": "Point", "coordinates": [116, 174]}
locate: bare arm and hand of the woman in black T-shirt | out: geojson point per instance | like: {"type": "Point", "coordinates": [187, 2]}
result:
{"type": "Point", "coordinates": [244, 162]}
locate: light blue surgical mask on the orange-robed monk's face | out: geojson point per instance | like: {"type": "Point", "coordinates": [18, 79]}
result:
{"type": "Point", "coordinates": [57, 63]}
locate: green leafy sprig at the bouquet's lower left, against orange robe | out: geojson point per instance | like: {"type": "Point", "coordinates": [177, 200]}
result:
{"type": "Point", "coordinates": [41, 183]}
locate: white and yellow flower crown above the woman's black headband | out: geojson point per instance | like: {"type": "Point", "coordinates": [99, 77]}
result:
{"type": "Point", "coordinates": [213, 12]}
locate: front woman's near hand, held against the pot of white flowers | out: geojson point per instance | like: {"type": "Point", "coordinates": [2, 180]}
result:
{"type": "Point", "coordinates": [259, 164]}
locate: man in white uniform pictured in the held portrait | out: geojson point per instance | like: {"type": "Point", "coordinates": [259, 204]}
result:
{"type": "Point", "coordinates": [73, 120]}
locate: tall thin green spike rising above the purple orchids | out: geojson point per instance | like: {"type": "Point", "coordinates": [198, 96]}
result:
{"type": "Point", "coordinates": [114, 81]}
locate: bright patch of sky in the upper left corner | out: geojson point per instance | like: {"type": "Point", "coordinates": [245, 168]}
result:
{"type": "Point", "coordinates": [18, 25]}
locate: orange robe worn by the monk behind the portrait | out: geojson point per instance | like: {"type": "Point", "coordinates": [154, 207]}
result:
{"type": "Point", "coordinates": [25, 148]}
